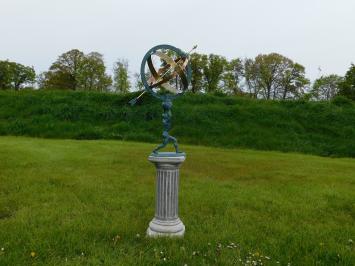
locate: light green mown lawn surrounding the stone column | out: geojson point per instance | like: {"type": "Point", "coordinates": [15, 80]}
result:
{"type": "Point", "coordinates": [67, 202]}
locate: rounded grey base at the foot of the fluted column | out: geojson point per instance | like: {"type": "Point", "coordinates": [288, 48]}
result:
{"type": "Point", "coordinates": [161, 228]}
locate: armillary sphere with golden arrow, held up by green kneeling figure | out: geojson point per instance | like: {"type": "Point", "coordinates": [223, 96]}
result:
{"type": "Point", "coordinates": [166, 74]}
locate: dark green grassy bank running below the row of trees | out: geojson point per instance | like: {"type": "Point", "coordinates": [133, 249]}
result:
{"type": "Point", "coordinates": [322, 128]}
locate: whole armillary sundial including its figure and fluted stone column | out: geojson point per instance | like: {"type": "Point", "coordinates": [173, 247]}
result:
{"type": "Point", "coordinates": [166, 74]}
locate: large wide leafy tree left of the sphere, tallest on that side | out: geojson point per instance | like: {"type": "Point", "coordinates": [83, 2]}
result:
{"type": "Point", "coordinates": [74, 70]}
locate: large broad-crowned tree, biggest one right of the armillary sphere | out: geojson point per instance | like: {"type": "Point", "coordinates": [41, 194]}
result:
{"type": "Point", "coordinates": [274, 76]}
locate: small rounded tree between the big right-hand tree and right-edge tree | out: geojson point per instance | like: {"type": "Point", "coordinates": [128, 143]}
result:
{"type": "Point", "coordinates": [326, 87]}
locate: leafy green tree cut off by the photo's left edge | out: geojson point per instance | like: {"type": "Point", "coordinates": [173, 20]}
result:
{"type": "Point", "coordinates": [15, 76]}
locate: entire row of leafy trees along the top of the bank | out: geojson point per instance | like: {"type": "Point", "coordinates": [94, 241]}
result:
{"type": "Point", "coordinates": [267, 76]}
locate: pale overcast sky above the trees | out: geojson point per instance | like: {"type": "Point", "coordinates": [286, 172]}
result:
{"type": "Point", "coordinates": [314, 33]}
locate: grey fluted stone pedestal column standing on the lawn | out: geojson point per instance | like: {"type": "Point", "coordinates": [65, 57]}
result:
{"type": "Point", "coordinates": [166, 221]}
